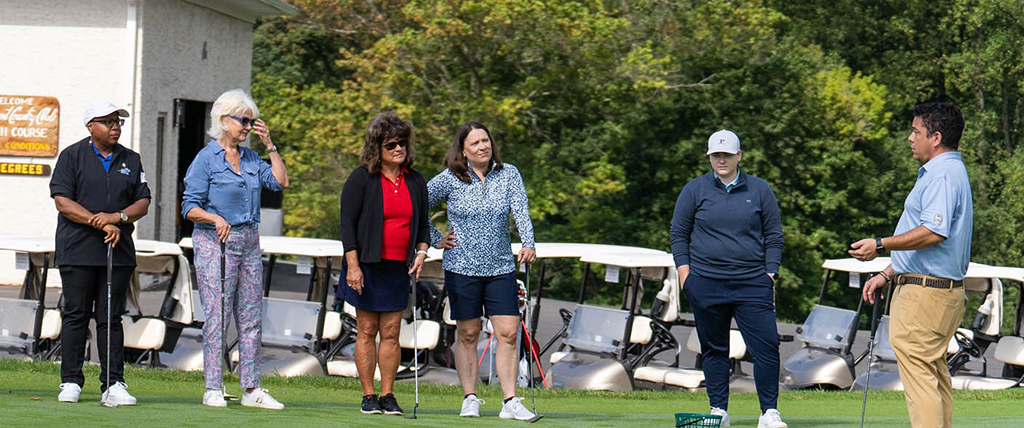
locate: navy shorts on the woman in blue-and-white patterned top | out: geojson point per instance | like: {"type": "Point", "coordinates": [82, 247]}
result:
{"type": "Point", "coordinates": [473, 297]}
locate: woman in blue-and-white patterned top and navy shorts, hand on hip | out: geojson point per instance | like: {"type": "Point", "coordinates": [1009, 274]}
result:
{"type": "Point", "coordinates": [480, 270]}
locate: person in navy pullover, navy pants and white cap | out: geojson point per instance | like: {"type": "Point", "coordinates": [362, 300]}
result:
{"type": "Point", "coordinates": [727, 239]}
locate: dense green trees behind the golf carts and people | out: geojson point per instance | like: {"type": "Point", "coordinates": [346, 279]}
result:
{"type": "Point", "coordinates": [606, 107]}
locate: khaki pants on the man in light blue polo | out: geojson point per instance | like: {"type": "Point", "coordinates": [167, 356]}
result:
{"type": "Point", "coordinates": [922, 322]}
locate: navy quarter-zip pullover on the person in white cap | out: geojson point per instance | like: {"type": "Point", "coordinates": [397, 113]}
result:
{"type": "Point", "coordinates": [728, 235]}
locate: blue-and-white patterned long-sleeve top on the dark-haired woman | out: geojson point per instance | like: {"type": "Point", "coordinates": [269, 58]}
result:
{"type": "Point", "coordinates": [479, 213]}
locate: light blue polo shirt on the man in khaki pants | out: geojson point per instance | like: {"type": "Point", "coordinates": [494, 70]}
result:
{"type": "Point", "coordinates": [943, 202]}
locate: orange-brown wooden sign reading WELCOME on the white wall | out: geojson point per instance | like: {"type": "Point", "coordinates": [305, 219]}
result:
{"type": "Point", "coordinates": [29, 125]}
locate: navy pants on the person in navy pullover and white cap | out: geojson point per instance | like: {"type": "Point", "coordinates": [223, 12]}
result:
{"type": "Point", "coordinates": [752, 303]}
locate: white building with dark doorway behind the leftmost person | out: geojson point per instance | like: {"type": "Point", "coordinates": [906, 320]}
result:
{"type": "Point", "coordinates": [164, 61]}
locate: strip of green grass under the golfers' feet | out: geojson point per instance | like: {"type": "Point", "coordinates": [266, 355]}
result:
{"type": "Point", "coordinates": [173, 399]}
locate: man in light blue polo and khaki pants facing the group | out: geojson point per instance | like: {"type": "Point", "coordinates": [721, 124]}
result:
{"type": "Point", "coordinates": [931, 252]}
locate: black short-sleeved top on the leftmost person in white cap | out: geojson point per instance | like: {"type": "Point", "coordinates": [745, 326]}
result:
{"type": "Point", "coordinates": [79, 176]}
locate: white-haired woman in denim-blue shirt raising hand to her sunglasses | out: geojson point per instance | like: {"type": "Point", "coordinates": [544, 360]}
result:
{"type": "Point", "coordinates": [223, 196]}
